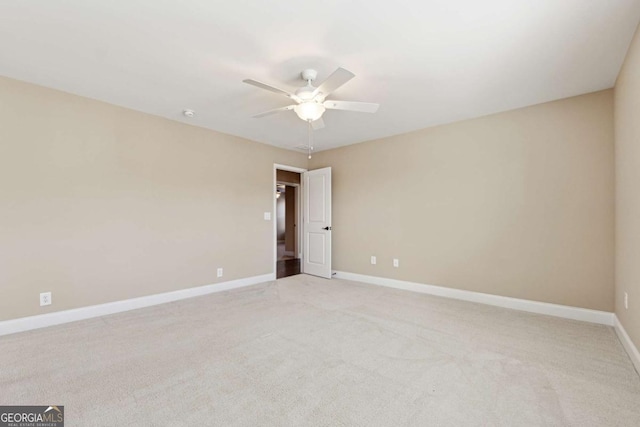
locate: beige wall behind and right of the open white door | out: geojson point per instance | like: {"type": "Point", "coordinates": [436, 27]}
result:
{"type": "Point", "coordinates": [517, 204]}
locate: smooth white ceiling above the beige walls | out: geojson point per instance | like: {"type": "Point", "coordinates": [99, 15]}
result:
{"type": "Point", "coordinates": [426, 62]}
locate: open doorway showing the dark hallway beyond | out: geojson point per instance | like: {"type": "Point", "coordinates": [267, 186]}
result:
{"type": "Point", "coordinates": [287, 214]}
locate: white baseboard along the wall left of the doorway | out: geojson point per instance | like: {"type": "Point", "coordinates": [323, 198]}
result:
{"type": "Point", "coordinates": [59, 317]}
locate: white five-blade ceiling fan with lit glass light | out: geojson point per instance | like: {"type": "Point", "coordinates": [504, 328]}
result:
{"type": "Point", "coordinates": [311, 102]}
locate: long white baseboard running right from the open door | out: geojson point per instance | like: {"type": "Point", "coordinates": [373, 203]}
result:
{"type": "Point", "coordinates": [567, 312]}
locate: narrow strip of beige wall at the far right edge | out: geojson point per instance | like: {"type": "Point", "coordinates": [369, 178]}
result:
{"type": "Point", "coordinates": [627, 131]}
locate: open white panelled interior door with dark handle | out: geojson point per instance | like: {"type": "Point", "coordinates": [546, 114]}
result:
{"type": "Point", "coordinates": [317, 223]}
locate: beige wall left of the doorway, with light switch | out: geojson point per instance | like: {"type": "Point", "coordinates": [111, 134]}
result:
{"type": "Point", "coordinates": [100, 203]}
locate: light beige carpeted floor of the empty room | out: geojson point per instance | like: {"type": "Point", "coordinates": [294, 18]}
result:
{"type": "Point", "coordinates": [307, 351]}
